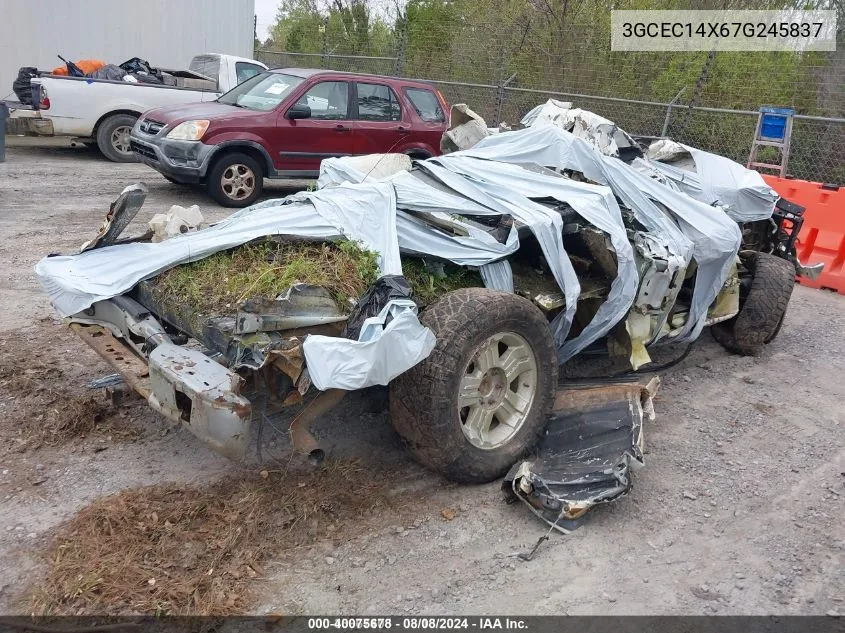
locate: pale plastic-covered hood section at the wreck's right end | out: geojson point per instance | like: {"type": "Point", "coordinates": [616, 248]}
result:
{"type": "Point", "coordinates": [715, 180]}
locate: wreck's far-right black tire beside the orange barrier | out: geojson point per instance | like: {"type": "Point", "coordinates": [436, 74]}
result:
{"type": "Point", "coordinates": [764, 308]}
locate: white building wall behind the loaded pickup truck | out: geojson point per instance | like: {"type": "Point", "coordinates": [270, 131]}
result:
{"type": "Point", "coordinates": [167, 33]}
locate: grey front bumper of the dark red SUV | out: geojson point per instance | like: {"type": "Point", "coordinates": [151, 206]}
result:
{"type": "Point", "coordinates": [183, 161]}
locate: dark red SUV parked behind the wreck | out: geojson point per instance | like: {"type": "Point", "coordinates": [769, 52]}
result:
{"type": "Point", "coordinates": [282, 123]}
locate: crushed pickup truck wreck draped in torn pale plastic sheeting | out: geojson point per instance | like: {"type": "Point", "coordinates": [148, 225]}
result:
{"type": "Point", "coordinates": [462, 281]}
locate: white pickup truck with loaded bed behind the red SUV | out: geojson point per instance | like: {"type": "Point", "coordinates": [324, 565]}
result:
{"type": "Point", "coordinates": [102, 112]}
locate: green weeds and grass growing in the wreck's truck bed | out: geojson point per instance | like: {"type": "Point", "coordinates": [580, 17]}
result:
{"type": "Point", "coordinates": [220, 283]}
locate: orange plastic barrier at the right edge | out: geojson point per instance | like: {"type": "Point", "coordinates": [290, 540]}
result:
{"type": "Point", "coordinates": [822, 236]}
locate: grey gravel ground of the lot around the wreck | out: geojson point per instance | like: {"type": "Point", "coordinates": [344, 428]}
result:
{"type": "Point", "coordinates": [738, 511]}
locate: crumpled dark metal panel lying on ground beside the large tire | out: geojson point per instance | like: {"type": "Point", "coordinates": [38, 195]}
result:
{"type": "Point", "coordinates": [593, 441]}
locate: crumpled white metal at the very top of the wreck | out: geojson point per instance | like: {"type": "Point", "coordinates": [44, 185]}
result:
{"type": "Point", "coordinates": [601, 133]}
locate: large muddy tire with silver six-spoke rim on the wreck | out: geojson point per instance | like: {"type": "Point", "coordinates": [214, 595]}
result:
{"type": "Point", "coordinates": [480, 401]}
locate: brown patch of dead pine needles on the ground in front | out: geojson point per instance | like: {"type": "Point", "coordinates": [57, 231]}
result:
{"type": "Point", "coordinates": [182, 550]}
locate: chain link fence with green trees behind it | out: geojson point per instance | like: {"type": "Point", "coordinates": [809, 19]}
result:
{"type": "Point", "coordinates": [503, 57]}
